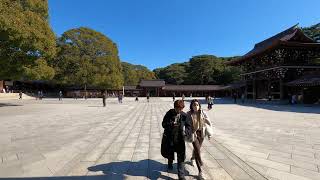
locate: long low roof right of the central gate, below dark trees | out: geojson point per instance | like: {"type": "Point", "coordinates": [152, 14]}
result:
{"type": "Point", "coordinates": [192, 87]}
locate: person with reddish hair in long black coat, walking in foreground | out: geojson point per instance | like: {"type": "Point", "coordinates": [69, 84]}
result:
{"type": "Point", "coordinates": [176, 126]}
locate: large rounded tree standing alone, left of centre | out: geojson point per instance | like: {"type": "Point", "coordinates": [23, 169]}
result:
{"type": "Point", "coordinates": [87, 57]}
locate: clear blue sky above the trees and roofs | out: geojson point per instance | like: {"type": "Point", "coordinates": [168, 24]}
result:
{"type": "Point", "coordinates": [156, 33]}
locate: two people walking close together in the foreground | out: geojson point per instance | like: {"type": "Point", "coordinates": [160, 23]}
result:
{"type": "Point", "coordinates": [179, 127]}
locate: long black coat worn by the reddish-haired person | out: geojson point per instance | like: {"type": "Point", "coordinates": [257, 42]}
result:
{"type": "Point", "coordinates": [185, 129]}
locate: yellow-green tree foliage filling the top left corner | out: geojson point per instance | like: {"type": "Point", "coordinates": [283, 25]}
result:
{"type": "Point", "coordinates": [26, 40]}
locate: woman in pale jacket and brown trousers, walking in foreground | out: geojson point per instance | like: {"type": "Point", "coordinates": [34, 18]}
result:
{"type": "Point", "coordinates": [201, 127]}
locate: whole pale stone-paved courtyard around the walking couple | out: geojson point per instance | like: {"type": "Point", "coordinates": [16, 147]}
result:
{"type": "Point", "coordinates": [80, 139]}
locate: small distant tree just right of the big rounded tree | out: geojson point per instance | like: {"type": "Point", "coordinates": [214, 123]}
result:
{"type": "Point", "coordinates": [134, 73]}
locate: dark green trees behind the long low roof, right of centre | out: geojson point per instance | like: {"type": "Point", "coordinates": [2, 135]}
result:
{"type": "Point", "coordinates": [202, 69]}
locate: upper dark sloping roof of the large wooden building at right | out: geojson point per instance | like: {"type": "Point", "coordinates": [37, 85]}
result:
{"type": "Point", "coordinates": [286, 37]}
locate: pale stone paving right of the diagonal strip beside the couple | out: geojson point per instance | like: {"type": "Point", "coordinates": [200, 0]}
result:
{"type": "Point", "coordinates": [279, 141]}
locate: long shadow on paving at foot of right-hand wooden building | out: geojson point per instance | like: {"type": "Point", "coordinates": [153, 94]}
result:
{"type": "Point", "coordinates": [275, 105]}
